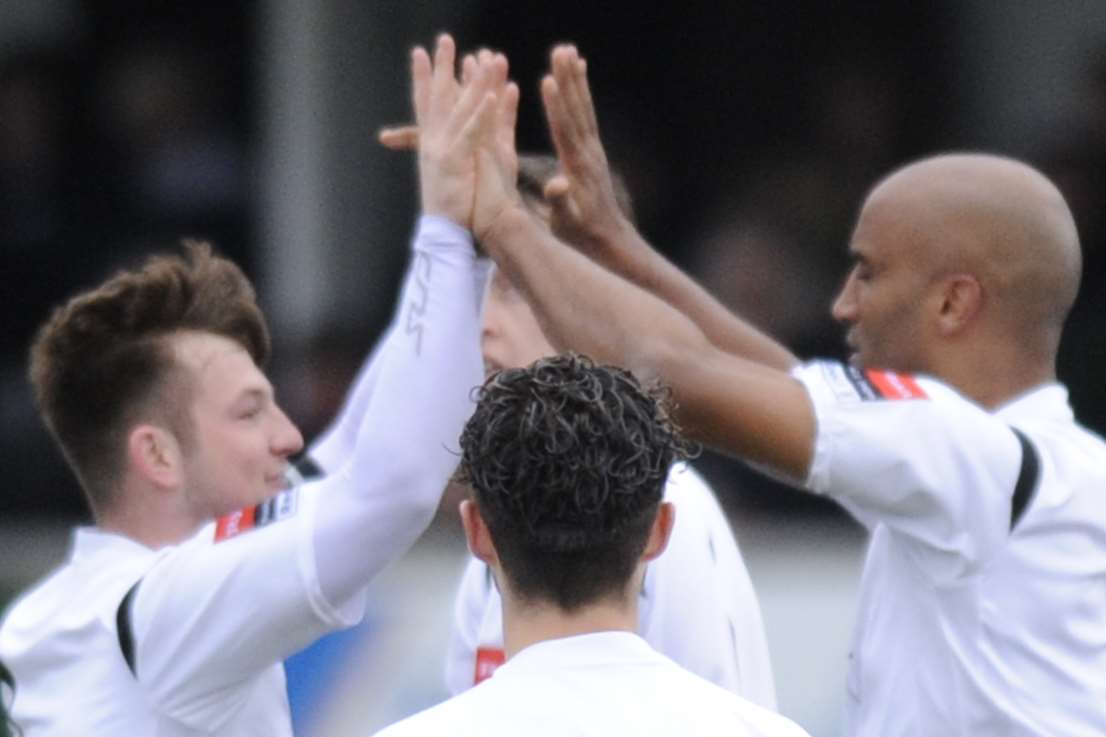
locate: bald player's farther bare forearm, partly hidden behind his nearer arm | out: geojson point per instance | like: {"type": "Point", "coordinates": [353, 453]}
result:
{"type": "Point", "coordinates": [629, 255]}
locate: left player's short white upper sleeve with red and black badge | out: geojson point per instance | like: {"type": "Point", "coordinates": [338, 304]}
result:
{"type": "Point", "coordinates": [217, 610]}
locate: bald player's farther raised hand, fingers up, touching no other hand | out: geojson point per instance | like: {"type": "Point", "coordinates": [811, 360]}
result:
{"type": "Point", "coordinates": [585, 209]}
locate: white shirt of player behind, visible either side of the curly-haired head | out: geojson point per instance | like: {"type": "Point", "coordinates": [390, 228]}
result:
{"type": "Point", "coordinates": [697, 606]}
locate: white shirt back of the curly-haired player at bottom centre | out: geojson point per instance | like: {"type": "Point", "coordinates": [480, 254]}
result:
{"type": "Point", "coordinates": [602, 683]}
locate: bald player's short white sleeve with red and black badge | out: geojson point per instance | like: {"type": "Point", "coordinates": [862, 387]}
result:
{"type": "Point", "coordinates": [910, 453]}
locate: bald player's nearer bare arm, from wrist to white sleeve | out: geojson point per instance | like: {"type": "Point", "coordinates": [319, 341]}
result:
{"type": "Point", "coordinates": [729, 402]}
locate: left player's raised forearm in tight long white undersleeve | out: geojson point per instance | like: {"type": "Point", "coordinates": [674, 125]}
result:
{"type": "Point", "coordinates": [389, 491]}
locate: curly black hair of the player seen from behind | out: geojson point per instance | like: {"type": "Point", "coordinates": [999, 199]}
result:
{"type": "Point", "coordinates": [568, 462]}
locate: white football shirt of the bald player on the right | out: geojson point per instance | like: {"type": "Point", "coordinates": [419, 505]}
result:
{"type": "Point", "coordinates": [975, 620]}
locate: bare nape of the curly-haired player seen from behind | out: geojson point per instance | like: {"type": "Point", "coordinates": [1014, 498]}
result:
{"type": "Point", "coordinates": [526, 624]}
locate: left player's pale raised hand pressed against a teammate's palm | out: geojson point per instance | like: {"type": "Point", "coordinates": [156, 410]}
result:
{"type": "Point", "coordinates": [450, 116]}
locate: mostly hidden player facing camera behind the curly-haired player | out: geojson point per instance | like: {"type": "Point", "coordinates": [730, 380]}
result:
{"type": "Point", "coordinates": [697, 605]}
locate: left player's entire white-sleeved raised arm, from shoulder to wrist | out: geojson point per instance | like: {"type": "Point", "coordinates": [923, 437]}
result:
{"type": "Point", "coordinates": [207, 617]}
